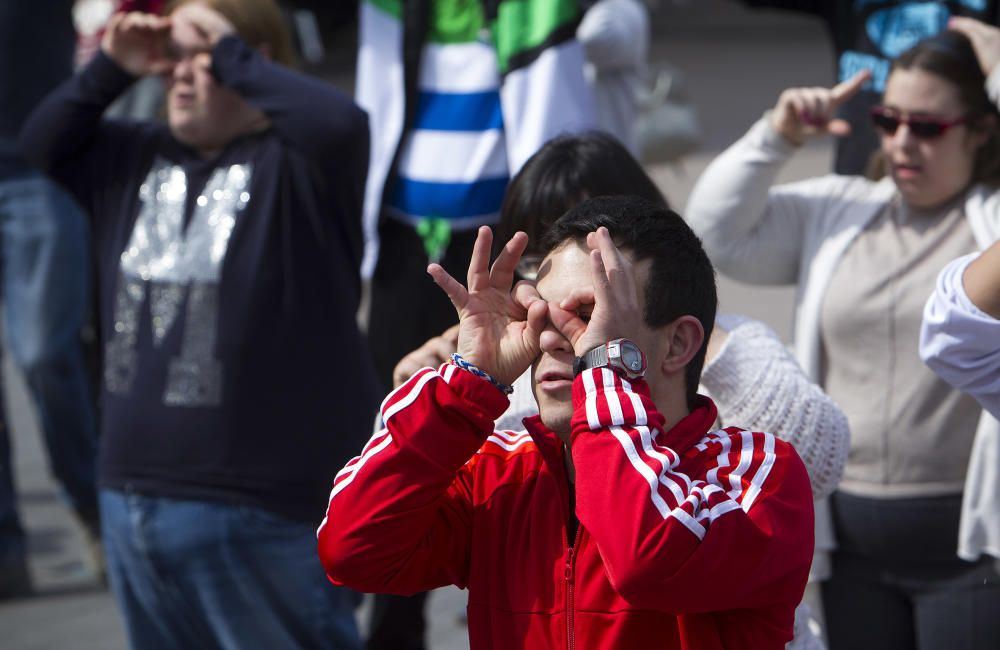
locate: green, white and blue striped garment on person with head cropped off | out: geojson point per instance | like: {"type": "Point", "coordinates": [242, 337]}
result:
{"type": "Point", "coordinates": [496, 80]}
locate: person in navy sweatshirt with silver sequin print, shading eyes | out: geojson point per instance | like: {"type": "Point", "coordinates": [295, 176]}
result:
{"type": "Point", "coordinates": [228, 244]}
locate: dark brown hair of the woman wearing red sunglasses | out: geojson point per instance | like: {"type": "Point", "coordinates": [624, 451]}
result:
{"type": "Point", "coordinates": [950, 56]}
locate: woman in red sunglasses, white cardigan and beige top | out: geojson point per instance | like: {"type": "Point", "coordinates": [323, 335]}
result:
{"type": "Point", "coordinates": [865, 254]}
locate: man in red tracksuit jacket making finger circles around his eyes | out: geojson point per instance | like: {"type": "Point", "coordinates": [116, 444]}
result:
{"type": "Point", "coordinates": [618, 519]}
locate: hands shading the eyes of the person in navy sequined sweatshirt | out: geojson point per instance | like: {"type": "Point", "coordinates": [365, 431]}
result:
{"type": "Point", "coordinates": [146, 44]}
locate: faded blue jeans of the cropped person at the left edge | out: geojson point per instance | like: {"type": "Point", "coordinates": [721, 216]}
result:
{"type": "Point", "coordinates": [44, 242]}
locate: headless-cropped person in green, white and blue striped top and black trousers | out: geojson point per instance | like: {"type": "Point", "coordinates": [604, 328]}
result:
{"type": "Point", "coordinates": [459, 95]}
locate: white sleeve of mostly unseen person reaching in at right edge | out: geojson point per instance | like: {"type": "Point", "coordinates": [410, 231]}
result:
{"type": "Point", "coordinates": [959, 341]}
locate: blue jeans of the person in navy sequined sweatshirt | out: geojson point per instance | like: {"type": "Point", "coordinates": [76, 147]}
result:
{"type": "Point", "coordinates": [197, 574]}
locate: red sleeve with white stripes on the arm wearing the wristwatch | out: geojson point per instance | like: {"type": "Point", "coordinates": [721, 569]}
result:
{"type": "Point", "coordinates": [670, 540]}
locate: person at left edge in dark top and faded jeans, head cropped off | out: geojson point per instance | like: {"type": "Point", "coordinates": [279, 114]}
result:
{"type": "Point", "coordinates": [45, 292]}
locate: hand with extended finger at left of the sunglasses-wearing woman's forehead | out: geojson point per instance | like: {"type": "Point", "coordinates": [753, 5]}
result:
{"type": "Point", "coordinates": [806, 112]}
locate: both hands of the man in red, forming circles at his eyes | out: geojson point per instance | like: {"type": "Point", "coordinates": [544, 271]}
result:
{"type": "Point", "coordinates": [500, 328]}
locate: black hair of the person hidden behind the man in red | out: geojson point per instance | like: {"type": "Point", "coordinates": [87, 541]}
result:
{"type": "Point", "coordinates": [565, 171]}
